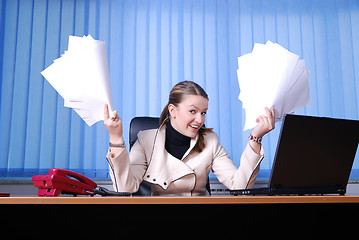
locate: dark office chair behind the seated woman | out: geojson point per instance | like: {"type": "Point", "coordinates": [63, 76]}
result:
{"type": "Point", "coordinates": [144, 123]}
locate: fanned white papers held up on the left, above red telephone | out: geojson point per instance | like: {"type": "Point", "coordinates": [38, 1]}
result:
{"type": "Point", "coordinates": [81, 77]}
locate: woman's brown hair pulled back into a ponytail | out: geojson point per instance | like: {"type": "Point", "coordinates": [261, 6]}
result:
{"type": "Point", "coordinates": [177, 94]}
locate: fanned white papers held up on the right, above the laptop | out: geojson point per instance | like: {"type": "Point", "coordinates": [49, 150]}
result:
{"type": "Point", "coordinates": [271, 76]}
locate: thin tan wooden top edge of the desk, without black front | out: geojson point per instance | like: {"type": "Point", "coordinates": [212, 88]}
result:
{"type": "Point", "coordinates": [182, 200]}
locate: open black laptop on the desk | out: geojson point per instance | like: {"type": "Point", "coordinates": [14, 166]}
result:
{"type": "Point", "coordinates": [314, 156]}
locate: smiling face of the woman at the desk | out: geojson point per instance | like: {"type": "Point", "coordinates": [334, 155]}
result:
{"type": "Point", "coordinates": [189, 115]}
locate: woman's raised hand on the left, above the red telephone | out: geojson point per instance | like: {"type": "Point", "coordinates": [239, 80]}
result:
{"type": "Point", "coordinates": [113, 125]}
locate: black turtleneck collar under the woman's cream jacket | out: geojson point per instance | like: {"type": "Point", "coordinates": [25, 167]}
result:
{"type": "Point", "coordinates": [176, 143]}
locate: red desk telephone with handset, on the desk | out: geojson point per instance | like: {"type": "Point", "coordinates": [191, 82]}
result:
{"type": "Point", "coordinates": [59, 181]}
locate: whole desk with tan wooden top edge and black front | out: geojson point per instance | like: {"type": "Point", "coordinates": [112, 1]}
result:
{"type": "Point", "coordinates": [302, 215]}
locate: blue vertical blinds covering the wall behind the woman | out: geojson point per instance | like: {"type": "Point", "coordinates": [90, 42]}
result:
{"type": "Point", "coordinates": [152, 45]}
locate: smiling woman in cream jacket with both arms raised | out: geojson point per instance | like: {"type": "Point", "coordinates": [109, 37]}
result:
{"type": "Point", "coordinates": [177, 157]}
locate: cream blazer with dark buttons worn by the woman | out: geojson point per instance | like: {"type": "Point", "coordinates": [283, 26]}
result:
{"type": "Point", "coordinates": [149, 161]}
